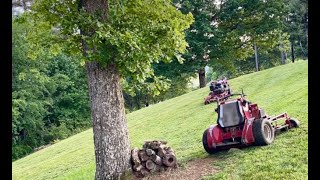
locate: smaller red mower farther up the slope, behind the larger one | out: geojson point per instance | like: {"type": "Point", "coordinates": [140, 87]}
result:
{"type": "Point", "coordinates": [219, 89]}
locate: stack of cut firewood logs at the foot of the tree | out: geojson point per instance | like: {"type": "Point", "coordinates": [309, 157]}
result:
{"type": "Point", "coordinates": [155, 156]}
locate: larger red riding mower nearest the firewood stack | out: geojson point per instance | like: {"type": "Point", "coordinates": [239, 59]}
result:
{"type": "Point", "coordinates": [242, 123]}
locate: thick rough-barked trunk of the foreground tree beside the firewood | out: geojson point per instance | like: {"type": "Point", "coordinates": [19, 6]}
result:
{"type": "Point", "coordinates": [111, 141]}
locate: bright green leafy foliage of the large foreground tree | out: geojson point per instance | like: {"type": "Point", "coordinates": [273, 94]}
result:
{"type": "Point", "coordinates": [135, 34]}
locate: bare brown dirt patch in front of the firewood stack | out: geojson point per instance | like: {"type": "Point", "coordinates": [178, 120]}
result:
{"type": "Point", "coordinates": [193, 170]}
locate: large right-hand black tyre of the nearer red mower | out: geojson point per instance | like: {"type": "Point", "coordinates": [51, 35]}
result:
{"type": "Point", "coordinates": [263, 132]}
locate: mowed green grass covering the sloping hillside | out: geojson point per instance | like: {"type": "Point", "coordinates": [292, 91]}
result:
{"type": "Point", "coordinates": [182, 120]}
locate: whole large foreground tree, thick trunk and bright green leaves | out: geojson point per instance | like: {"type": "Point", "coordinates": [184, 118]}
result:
{"type": "Point", "coordinates": [116, 40]}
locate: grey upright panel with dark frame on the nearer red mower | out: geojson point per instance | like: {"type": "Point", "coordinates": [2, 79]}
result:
{"type": "Point", "coordinates": [230, 114]}
